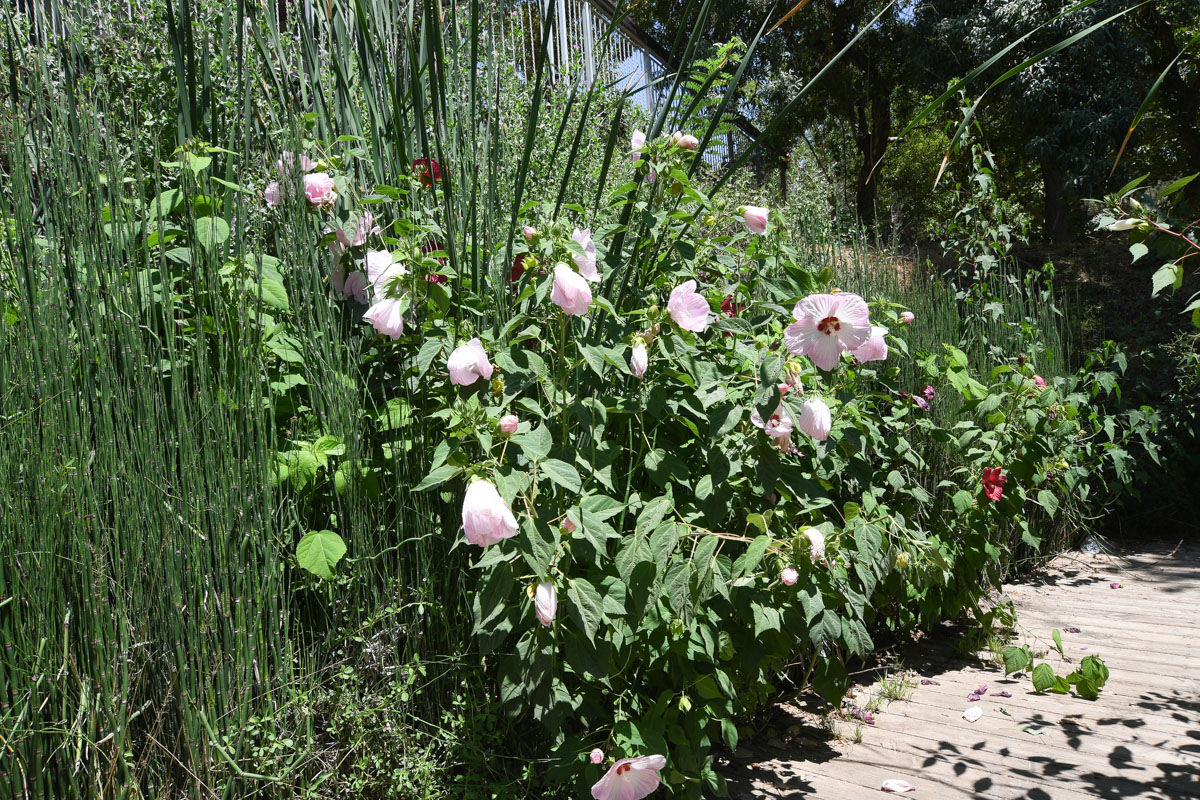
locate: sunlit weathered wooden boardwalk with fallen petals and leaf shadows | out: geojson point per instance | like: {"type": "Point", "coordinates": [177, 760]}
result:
{"type": "Point", "coordinates": [1139, 739]}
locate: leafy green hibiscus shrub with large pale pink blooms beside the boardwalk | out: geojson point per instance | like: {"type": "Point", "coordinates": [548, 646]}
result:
{"type": "Point", "coordinates": [706, 507]}
